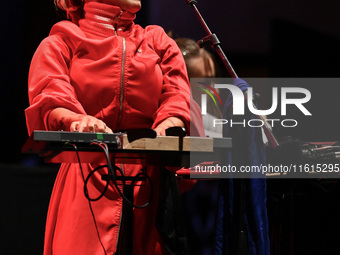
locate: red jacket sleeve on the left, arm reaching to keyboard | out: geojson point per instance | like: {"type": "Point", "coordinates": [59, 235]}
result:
{"type": "Point", "coordinates": [49, 84]}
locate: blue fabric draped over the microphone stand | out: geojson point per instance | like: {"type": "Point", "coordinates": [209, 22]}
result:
{"type": "Point", "coordinates": [248, 150]}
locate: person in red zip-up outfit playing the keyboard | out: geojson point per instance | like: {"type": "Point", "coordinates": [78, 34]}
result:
{"type": "Point", "coordinates": [101, 72]}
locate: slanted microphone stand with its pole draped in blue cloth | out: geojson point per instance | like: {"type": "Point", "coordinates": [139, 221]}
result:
{"type": "Point", "coordinates": [239, 189]}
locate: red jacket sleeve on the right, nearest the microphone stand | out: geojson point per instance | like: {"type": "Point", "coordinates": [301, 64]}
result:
{"type": "Point", "coordinates": [175, 98]}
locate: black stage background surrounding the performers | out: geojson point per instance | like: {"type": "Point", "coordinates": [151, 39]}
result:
{"type": "Point", "coordinates": [261, 39]}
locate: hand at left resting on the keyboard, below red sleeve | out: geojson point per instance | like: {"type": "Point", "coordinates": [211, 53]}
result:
{"type": "Point", "coordinates": [90, 124]}
